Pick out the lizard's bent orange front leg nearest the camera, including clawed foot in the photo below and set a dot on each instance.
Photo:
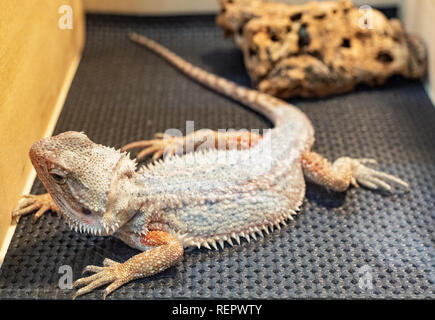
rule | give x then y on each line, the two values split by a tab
166	252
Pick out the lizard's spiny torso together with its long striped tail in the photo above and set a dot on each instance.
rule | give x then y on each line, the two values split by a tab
208	197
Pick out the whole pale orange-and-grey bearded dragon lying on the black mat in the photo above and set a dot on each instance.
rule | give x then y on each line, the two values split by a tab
189	198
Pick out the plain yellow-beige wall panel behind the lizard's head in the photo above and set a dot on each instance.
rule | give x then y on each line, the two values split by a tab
37	61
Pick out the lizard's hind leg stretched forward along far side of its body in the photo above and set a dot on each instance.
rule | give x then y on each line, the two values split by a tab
198	140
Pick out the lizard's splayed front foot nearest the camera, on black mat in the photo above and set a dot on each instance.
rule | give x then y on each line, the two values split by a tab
112	272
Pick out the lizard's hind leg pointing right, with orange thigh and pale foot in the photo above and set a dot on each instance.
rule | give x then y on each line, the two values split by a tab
345	172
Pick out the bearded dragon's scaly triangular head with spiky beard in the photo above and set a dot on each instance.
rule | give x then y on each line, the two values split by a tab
86	180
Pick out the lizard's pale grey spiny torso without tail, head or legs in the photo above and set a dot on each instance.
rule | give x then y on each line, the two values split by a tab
249	191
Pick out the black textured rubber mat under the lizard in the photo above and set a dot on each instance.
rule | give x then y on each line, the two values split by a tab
360	244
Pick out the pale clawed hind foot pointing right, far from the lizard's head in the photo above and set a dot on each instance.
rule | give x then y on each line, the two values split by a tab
374	179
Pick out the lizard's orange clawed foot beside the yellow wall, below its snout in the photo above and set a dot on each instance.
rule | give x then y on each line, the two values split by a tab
28	203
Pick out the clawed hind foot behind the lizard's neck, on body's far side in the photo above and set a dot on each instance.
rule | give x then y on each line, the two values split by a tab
162	145
